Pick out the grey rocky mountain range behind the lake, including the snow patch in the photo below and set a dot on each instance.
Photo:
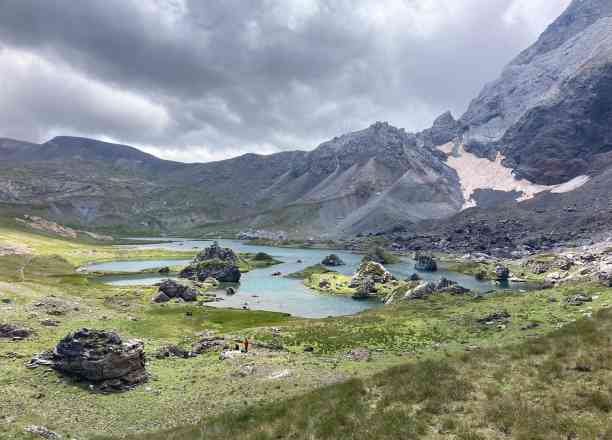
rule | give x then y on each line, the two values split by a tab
540	132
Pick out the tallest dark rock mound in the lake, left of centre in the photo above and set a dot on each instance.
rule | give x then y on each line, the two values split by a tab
214	262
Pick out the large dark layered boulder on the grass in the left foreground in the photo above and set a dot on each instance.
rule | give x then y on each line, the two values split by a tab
99	357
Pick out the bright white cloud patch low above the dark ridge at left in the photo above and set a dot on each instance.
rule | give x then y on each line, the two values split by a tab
72	104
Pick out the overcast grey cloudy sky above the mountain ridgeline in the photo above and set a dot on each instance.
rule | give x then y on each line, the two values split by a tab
195	81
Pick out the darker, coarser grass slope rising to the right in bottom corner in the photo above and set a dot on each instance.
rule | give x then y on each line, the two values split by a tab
550	387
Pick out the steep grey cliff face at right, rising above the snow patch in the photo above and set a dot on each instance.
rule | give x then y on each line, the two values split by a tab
549	111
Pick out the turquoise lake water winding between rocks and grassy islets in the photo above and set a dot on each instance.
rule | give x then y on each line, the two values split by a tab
259	290
